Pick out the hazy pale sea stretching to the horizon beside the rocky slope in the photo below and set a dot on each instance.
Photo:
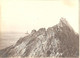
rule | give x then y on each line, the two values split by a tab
9	38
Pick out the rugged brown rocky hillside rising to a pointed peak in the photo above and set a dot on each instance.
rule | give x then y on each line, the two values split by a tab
59	41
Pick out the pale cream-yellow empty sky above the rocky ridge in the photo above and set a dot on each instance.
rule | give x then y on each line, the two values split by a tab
26	15
